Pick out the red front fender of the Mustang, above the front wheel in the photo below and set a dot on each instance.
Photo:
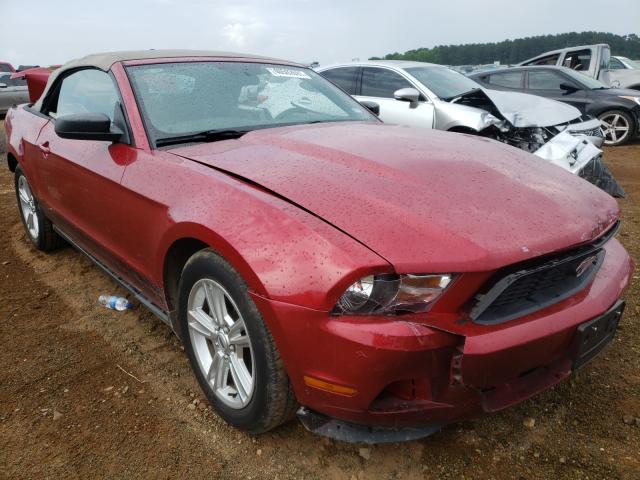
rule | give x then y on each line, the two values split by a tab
283	252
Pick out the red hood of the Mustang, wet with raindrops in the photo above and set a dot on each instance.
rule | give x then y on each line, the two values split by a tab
425	200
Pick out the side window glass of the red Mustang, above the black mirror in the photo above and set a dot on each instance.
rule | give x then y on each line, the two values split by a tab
86	91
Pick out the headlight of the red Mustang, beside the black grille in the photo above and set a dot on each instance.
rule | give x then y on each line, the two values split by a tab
389	294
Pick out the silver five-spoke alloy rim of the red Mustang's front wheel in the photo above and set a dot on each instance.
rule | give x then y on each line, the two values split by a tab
221	343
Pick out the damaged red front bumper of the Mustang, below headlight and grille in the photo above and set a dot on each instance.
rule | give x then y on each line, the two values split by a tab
408	377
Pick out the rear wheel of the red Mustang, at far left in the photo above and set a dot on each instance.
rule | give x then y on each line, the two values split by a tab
38	227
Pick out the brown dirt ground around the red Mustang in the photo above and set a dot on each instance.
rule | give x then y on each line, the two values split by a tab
89	393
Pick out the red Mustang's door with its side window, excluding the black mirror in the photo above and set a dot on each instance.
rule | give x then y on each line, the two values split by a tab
79	180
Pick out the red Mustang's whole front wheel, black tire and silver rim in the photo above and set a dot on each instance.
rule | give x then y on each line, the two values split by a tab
230	348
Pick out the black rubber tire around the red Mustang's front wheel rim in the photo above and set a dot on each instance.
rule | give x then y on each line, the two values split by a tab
273	401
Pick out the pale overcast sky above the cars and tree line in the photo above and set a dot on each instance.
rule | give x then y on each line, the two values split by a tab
53	31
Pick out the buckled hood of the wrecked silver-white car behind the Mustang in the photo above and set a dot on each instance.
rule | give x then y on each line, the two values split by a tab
524	110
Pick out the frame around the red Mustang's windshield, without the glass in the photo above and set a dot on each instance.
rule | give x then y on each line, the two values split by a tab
151	130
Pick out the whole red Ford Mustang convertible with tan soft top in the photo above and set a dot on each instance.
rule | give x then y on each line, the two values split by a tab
379	280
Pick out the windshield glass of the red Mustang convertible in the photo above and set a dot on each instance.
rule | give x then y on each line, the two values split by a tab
179	99
